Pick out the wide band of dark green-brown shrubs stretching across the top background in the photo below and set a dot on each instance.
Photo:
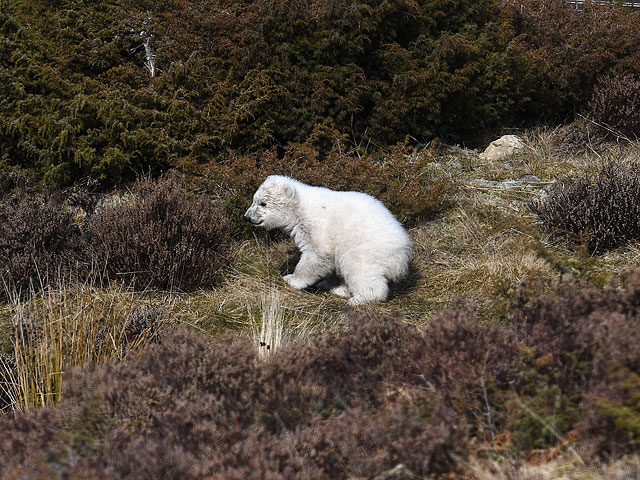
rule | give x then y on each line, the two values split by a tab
78	100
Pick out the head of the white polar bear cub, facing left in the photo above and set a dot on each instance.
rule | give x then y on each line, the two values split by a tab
273	204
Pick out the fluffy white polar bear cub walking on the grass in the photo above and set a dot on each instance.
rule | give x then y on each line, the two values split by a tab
350	235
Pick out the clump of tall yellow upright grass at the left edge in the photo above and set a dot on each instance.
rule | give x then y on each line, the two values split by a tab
67	326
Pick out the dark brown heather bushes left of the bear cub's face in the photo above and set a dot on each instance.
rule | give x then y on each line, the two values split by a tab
161	237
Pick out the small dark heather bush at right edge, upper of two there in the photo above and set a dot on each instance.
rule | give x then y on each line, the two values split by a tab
615	105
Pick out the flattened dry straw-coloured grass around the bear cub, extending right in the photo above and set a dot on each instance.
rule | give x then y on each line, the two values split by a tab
478	250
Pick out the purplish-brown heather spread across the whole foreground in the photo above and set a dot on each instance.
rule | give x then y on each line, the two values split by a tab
380	396
